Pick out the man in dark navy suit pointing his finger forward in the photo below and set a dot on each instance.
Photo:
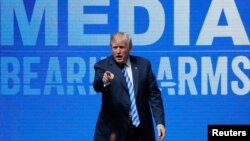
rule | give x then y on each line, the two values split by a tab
129	94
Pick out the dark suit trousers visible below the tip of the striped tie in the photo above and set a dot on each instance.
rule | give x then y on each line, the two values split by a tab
133	133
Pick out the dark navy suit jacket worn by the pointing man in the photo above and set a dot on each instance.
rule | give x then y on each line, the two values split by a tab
114	113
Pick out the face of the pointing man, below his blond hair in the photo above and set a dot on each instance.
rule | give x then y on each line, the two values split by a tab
120	51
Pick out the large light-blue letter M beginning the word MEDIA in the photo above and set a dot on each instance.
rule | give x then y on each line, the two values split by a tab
29	29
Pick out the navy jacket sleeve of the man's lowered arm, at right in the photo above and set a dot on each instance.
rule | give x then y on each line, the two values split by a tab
155	98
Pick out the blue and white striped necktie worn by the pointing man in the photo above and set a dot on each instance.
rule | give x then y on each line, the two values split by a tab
133	109
